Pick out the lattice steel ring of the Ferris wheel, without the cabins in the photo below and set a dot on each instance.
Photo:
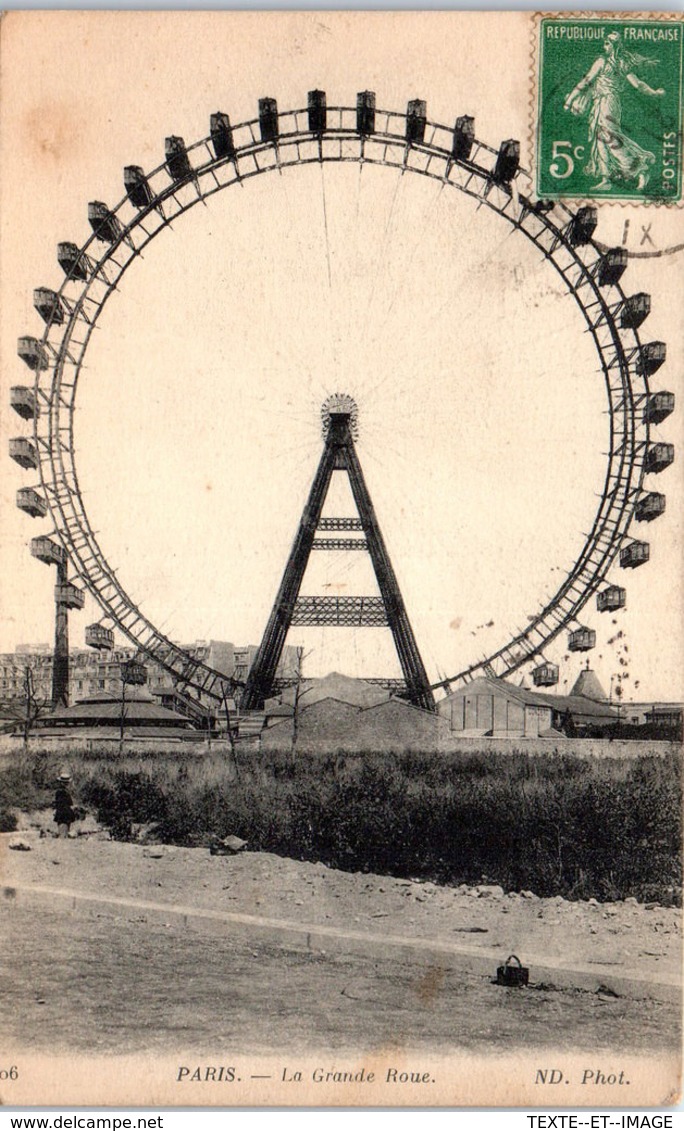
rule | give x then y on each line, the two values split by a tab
62	487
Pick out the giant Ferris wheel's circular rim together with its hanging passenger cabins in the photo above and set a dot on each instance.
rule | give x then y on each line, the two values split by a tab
406	143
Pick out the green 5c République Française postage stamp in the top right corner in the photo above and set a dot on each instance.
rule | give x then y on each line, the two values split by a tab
610	109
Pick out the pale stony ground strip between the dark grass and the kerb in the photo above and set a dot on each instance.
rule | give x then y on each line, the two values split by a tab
620	937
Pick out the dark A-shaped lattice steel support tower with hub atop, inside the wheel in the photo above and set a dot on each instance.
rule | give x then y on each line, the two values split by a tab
340	419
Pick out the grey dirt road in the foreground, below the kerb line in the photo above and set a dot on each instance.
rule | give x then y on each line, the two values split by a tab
110	983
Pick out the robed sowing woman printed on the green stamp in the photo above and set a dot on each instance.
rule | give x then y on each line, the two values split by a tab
612	154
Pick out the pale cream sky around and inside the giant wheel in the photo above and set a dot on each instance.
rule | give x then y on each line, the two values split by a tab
483	424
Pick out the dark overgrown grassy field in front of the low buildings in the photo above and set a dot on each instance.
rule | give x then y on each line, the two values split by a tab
608	828
